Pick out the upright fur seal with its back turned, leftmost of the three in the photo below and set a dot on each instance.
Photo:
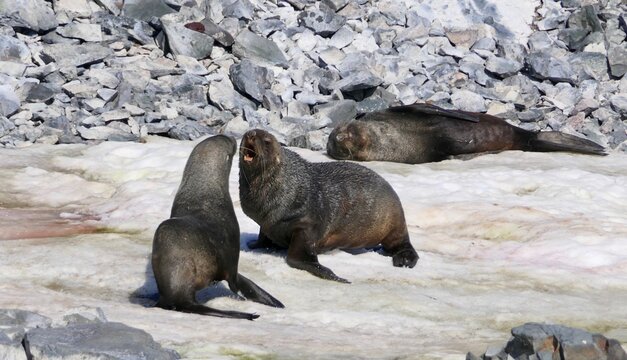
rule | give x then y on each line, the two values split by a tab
199	244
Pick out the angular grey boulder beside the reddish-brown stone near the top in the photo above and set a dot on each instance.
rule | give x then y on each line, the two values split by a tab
185	41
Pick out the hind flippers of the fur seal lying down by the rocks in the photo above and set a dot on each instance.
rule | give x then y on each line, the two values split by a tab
545	141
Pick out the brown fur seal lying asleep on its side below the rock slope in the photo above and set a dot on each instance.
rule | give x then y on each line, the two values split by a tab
422	133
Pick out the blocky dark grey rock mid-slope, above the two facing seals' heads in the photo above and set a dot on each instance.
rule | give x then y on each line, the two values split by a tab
251	79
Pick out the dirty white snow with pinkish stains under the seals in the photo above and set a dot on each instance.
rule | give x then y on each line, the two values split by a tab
503	239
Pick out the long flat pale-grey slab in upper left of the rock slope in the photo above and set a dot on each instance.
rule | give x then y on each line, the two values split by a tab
75	55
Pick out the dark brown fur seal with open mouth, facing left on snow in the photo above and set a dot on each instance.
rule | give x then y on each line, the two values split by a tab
310	208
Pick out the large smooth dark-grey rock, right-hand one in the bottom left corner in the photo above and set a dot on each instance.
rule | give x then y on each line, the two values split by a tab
94	341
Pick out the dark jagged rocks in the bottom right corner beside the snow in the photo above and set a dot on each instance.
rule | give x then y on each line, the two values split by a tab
541	341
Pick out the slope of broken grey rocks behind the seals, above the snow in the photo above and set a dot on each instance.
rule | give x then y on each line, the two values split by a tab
92	70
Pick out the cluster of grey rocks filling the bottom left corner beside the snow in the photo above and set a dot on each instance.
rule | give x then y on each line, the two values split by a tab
85	334
